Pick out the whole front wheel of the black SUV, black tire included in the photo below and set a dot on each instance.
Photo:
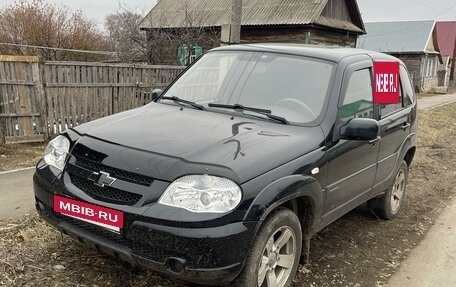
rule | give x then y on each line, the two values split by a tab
280	225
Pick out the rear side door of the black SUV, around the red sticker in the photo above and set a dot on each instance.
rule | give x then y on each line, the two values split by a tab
395	124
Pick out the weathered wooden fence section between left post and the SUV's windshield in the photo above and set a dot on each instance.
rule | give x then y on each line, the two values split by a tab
81	92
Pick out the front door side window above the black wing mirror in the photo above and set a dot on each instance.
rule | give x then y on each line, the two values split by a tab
358	102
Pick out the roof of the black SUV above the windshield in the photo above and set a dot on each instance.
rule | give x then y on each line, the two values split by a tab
333	54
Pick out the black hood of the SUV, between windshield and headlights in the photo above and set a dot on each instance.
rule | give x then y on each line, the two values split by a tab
166	142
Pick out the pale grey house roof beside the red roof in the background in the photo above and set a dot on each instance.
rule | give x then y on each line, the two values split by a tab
401	37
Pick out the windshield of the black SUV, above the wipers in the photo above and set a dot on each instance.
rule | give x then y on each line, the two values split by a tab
291	87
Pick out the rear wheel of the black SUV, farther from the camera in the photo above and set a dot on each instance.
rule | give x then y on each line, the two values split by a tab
388	205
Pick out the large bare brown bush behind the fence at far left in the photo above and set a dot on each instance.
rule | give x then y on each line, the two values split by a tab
37	23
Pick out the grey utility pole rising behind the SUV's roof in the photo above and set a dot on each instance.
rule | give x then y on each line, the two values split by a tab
231	33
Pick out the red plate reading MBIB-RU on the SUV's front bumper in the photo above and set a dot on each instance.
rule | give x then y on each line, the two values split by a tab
105	217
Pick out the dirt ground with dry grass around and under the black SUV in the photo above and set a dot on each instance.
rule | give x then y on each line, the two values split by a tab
357	250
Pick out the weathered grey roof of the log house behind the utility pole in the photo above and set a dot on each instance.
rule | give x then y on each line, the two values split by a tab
215	13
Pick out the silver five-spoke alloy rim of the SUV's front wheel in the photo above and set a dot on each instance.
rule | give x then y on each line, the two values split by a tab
277	259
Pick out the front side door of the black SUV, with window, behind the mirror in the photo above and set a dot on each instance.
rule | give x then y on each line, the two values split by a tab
352	165
